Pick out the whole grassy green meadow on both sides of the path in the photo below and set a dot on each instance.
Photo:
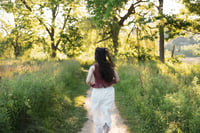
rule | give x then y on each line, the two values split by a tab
48	96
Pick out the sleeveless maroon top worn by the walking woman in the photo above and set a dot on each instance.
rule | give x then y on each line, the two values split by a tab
99	82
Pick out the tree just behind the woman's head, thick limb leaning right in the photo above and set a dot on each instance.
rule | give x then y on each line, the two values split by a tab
107	15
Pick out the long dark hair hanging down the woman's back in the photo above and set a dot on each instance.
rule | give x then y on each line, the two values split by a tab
106	66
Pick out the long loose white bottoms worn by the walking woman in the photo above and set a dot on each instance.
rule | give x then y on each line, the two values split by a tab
102	101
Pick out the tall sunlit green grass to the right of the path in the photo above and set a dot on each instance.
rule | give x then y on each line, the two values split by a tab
159	98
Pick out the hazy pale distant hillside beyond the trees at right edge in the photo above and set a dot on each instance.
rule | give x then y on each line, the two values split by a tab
188	46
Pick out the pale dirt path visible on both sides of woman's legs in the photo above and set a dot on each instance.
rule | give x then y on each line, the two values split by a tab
117	121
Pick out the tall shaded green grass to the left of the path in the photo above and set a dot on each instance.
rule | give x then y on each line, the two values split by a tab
49	100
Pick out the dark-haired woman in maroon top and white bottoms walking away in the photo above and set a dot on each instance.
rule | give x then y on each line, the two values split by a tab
100	77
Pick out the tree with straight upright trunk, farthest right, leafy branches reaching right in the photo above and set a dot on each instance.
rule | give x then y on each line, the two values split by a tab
169	26
